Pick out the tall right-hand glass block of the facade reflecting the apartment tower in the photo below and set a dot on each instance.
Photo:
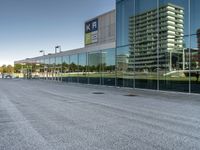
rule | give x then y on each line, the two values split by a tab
158	44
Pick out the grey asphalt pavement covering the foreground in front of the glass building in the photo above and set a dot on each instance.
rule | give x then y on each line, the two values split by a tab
42	115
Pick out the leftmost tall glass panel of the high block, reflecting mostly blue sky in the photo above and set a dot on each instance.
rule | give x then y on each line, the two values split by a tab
125	73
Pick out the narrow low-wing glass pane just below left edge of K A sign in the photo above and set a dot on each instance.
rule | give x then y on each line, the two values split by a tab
82	66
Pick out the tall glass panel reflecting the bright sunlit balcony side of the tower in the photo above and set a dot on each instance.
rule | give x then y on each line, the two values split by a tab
174	45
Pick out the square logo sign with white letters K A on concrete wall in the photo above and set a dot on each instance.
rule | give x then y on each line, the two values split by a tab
91	32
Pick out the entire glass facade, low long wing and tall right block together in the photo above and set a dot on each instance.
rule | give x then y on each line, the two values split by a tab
157	47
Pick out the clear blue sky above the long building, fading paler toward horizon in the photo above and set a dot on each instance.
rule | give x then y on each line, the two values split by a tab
27	26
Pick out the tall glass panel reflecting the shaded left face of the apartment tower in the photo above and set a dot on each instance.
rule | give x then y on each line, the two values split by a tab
143	43
